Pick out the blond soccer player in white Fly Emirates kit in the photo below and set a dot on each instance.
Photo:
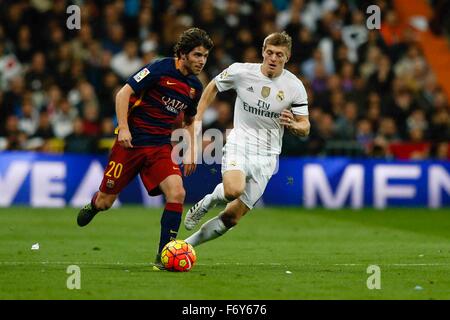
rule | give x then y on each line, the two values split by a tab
269	99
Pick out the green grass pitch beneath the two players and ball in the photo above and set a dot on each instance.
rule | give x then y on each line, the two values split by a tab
274	253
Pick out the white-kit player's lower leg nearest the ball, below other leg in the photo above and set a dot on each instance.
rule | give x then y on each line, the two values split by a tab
220	224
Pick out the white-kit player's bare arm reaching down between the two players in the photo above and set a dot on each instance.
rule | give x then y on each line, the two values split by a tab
194	128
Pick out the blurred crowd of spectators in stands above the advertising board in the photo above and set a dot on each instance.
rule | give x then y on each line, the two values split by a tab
371	92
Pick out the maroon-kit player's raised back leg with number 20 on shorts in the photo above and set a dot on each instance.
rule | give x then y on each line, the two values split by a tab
123	165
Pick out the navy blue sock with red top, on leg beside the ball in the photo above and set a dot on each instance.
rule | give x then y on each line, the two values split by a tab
170	223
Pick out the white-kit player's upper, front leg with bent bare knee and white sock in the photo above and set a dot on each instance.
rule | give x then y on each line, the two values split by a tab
231	188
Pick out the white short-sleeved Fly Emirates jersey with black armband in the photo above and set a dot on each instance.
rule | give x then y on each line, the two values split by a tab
259	103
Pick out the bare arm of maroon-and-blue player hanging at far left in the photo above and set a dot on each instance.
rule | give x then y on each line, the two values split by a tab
122	100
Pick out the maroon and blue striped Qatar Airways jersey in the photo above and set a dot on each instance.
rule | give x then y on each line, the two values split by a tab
161	93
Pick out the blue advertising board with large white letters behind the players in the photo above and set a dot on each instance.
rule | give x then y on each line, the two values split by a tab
56	180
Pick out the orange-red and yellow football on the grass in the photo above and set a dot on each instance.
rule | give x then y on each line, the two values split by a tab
178	255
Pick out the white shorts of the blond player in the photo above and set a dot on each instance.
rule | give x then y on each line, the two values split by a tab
258	170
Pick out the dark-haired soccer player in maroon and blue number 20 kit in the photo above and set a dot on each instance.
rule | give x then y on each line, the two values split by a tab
147	108
